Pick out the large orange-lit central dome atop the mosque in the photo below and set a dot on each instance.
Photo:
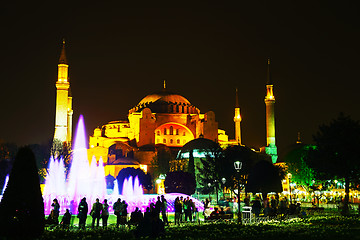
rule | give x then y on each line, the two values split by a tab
165	102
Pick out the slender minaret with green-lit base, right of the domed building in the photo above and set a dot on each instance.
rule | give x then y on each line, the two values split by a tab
270	117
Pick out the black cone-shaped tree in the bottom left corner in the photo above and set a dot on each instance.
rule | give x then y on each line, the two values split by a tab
22	206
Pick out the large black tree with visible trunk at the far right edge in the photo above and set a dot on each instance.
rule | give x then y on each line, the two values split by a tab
336	154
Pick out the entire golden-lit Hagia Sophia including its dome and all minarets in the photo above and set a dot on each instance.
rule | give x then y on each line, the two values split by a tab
160	120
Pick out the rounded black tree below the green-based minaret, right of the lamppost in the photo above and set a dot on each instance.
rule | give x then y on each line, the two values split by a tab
264	178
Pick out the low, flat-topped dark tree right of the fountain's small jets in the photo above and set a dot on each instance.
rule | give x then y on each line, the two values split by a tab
180	182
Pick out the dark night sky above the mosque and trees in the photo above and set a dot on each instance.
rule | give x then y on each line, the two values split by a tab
118	53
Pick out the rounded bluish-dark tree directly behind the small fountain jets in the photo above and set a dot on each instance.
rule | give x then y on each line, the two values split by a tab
144	179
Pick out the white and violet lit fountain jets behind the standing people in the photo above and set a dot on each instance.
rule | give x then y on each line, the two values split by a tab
88	180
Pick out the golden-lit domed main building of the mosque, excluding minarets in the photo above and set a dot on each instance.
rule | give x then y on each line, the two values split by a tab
160	119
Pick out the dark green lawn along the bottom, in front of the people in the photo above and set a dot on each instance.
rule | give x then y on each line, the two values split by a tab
309	228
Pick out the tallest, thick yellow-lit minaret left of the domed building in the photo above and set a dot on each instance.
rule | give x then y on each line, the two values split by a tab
63	118
